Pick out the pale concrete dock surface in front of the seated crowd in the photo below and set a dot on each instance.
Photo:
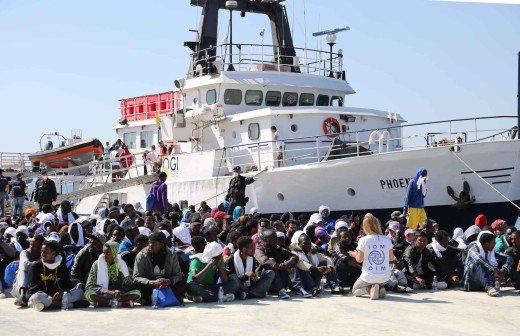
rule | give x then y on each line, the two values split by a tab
448	312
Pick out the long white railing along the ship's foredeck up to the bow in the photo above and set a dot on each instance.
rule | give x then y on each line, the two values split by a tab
293	151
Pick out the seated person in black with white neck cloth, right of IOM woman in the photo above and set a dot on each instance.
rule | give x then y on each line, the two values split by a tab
448	266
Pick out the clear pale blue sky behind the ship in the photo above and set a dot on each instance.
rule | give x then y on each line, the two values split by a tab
65	64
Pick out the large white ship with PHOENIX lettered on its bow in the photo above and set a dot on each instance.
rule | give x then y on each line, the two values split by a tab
350	159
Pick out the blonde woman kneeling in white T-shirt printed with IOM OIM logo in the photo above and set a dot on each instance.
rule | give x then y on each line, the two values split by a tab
376	253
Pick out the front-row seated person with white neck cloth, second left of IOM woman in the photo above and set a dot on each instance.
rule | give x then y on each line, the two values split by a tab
312	266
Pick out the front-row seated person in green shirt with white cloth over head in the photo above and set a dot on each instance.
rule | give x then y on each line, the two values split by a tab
206	267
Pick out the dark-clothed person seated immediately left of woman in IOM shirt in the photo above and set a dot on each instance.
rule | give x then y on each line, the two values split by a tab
347	268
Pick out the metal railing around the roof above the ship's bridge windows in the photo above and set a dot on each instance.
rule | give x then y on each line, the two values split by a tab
259	57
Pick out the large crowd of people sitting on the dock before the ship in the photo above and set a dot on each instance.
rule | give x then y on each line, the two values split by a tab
53	258
